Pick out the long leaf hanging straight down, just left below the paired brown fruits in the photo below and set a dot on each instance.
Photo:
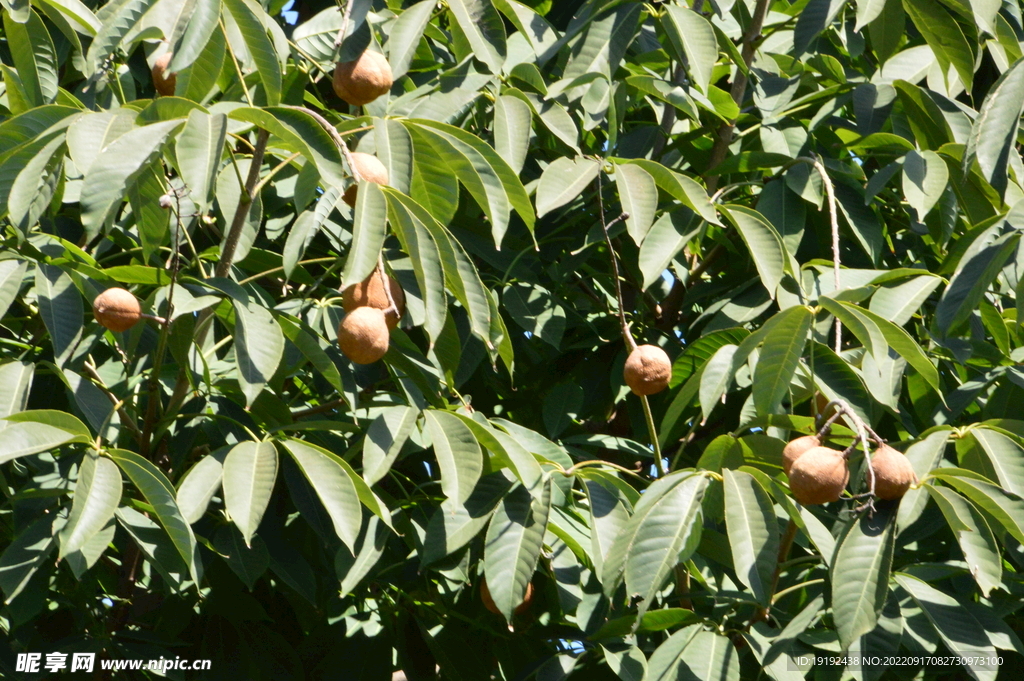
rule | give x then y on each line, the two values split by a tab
750	519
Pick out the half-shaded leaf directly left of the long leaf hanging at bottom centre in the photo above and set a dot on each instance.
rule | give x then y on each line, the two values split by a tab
454	525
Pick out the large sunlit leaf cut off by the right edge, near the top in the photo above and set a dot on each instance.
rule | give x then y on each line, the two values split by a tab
995	133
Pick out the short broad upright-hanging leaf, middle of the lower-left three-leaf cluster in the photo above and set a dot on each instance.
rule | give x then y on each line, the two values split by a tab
250	472
